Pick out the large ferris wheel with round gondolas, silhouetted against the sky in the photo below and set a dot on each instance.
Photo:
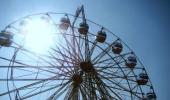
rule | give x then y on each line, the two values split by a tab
61	56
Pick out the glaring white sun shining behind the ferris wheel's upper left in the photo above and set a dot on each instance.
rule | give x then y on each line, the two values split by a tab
39	35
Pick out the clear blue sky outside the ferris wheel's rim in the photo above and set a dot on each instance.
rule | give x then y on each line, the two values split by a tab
143	24
